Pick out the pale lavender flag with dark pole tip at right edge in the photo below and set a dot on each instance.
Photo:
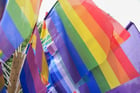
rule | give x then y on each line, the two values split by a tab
132	46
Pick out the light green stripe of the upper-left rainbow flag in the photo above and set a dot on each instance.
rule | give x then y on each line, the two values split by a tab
19	19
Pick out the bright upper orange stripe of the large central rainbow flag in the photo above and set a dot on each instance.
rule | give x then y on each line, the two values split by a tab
93	27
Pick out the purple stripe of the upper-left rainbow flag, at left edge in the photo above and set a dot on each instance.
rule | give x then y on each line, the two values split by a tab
6	46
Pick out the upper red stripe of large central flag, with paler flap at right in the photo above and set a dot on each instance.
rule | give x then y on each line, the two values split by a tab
107	23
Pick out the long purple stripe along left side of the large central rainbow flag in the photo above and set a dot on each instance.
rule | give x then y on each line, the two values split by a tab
63	51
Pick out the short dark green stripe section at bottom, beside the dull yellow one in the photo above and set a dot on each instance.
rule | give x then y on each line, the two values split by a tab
100	79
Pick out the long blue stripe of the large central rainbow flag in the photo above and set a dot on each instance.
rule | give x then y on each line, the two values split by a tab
70	47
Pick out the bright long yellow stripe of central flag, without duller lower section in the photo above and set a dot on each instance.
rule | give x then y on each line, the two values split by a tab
83	31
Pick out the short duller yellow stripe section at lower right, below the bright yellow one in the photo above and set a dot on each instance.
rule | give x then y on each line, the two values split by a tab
109	74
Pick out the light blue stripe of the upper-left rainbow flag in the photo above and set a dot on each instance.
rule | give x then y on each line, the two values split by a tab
11	31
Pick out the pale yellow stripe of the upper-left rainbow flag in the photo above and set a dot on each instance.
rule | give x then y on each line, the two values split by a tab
27	9
